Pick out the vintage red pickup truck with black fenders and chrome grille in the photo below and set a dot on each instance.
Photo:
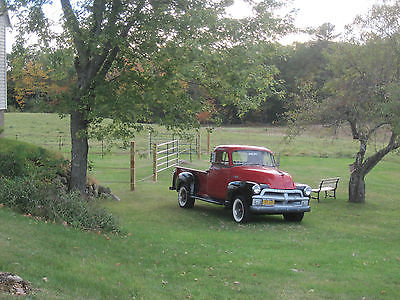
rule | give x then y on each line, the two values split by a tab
245	179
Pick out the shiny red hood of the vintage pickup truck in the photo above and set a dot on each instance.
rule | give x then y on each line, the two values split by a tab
275	178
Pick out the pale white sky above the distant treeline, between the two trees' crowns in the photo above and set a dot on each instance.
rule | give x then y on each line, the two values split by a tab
313	13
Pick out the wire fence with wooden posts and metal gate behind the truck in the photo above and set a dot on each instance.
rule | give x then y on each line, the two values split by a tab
120	168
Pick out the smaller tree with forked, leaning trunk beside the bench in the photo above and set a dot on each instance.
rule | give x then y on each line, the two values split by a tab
364	91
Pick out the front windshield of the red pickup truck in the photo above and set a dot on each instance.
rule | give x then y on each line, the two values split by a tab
253	157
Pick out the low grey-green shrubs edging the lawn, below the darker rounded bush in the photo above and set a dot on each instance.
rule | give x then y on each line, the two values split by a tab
30	196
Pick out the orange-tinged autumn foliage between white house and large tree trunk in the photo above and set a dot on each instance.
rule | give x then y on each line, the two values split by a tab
37	80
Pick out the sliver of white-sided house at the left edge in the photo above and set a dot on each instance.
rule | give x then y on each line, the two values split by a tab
4	23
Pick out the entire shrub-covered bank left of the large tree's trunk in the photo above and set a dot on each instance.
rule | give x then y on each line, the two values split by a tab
27	185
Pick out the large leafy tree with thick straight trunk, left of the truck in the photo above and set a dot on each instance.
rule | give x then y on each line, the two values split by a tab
134	60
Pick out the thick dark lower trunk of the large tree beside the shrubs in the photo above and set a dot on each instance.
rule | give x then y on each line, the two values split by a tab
79	152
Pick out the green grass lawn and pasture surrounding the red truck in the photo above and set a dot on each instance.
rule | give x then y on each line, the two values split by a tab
339	250
